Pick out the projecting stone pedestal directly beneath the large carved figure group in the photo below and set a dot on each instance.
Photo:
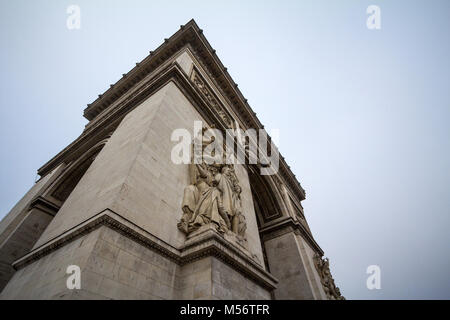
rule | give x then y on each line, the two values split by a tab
219	266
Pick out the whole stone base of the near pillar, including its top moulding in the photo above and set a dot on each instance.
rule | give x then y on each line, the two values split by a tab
120	261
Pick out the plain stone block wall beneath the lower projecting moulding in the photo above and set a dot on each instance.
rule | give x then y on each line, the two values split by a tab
115	267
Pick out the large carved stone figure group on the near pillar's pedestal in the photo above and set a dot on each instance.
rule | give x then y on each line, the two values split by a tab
214	195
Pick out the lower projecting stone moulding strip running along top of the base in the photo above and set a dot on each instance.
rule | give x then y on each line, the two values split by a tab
211	245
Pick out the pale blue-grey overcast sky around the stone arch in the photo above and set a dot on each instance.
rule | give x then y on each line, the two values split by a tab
363	114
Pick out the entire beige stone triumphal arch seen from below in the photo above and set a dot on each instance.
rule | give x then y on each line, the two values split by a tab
140	226
